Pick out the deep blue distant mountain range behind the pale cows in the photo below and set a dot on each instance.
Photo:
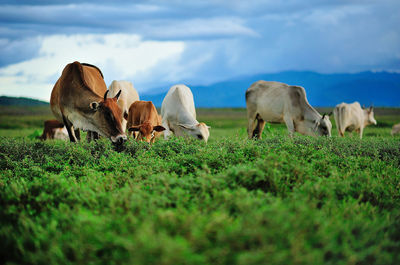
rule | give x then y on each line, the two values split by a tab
378	88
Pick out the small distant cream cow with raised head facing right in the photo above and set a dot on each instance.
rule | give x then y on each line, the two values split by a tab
351	117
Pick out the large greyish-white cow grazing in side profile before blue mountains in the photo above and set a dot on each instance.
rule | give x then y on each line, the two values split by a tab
276	102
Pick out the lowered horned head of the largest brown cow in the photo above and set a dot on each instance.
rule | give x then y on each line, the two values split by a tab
107	118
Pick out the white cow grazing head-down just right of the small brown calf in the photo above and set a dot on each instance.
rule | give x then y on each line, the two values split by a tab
179	114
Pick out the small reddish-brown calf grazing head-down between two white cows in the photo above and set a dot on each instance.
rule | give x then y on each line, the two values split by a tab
144	119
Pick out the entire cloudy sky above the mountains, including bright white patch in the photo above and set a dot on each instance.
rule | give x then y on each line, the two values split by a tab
155	44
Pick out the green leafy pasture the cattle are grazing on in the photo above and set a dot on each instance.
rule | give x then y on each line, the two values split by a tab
232	201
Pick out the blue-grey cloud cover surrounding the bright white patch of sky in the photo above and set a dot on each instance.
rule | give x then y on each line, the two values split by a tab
223	38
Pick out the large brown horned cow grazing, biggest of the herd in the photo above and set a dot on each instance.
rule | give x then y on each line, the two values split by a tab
79	100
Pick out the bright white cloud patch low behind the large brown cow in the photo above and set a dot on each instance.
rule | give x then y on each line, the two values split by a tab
119	56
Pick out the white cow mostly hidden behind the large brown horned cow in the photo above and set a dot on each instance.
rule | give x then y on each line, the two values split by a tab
127	97
